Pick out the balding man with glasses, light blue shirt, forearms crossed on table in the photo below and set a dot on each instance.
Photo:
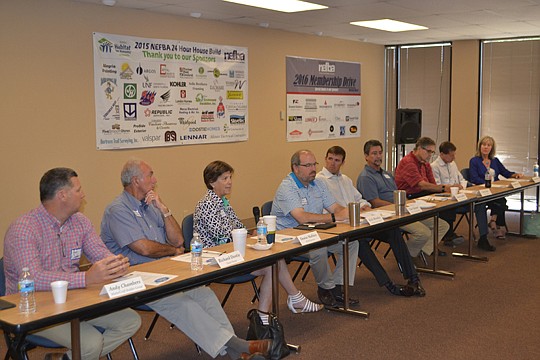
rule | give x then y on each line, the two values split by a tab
300	199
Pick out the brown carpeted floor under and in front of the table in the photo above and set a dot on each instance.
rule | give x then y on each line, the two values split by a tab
488	311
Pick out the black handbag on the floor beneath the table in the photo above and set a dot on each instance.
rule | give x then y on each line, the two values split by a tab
274	331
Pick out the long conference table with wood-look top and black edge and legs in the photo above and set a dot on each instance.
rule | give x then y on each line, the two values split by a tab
83	304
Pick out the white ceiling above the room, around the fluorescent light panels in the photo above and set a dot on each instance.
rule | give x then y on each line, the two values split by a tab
446	19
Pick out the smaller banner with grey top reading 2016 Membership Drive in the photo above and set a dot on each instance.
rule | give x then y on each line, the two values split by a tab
323	99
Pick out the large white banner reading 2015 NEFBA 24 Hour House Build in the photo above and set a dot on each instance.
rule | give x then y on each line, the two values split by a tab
152	92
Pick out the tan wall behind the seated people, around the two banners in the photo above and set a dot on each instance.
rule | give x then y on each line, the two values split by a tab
48	116
